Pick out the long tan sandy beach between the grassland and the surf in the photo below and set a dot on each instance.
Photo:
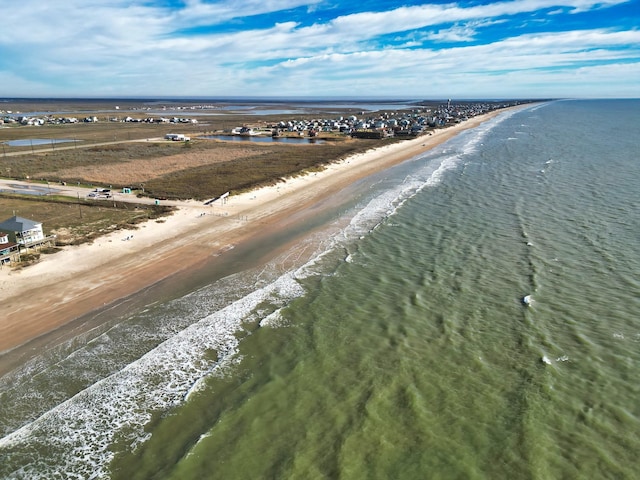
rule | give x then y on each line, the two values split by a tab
80	279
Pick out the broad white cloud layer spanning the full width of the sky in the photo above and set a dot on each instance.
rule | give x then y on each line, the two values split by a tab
123	47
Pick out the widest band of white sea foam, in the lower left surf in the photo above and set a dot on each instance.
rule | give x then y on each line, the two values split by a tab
83	428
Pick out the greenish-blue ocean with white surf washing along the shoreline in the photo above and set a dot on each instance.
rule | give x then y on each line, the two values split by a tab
472	313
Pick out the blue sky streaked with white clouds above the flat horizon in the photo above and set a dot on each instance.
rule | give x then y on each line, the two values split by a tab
327	48
